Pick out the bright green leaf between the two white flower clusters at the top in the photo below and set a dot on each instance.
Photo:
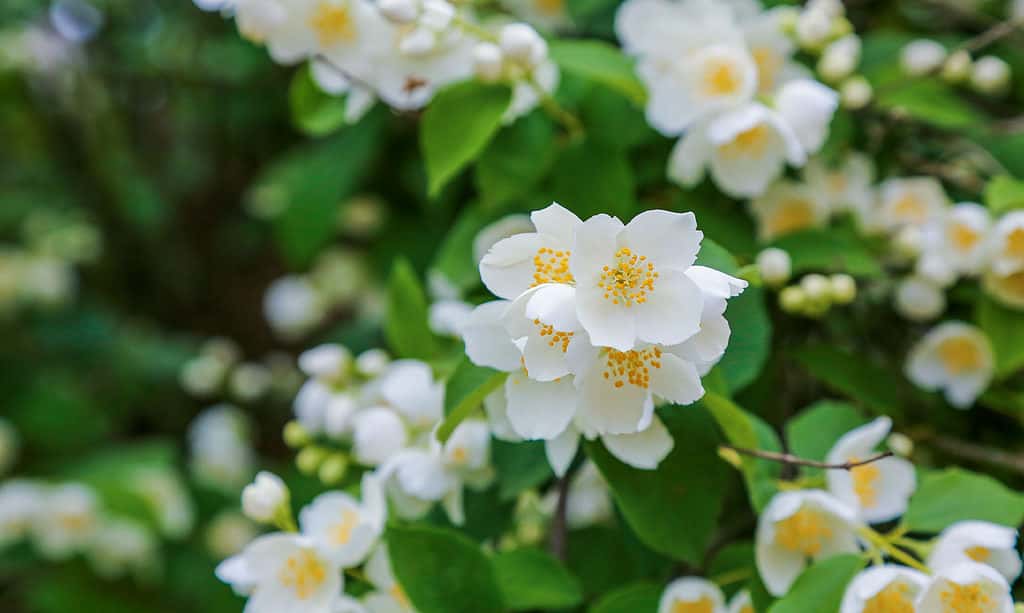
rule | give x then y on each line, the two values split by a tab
602	63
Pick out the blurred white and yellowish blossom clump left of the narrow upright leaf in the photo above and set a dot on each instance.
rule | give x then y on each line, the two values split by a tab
295	304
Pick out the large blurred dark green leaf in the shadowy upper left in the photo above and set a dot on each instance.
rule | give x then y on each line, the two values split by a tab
311	184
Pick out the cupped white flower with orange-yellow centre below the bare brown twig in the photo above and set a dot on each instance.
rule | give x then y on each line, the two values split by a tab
801	526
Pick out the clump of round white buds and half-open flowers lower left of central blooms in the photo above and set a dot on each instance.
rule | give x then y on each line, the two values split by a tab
383	415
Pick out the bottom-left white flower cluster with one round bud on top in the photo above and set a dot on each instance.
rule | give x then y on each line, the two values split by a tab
301	571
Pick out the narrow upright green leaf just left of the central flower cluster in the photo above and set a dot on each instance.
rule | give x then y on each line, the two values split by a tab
407	326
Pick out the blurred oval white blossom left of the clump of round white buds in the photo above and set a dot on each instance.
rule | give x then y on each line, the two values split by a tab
222	453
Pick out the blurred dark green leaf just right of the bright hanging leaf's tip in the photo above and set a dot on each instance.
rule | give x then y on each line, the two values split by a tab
518	158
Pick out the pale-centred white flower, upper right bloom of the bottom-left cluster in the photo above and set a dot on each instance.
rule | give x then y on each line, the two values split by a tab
346	530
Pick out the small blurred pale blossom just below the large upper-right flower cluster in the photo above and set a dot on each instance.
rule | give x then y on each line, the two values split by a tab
846	188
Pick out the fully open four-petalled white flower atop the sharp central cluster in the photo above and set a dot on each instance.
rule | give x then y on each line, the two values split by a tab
631	280
